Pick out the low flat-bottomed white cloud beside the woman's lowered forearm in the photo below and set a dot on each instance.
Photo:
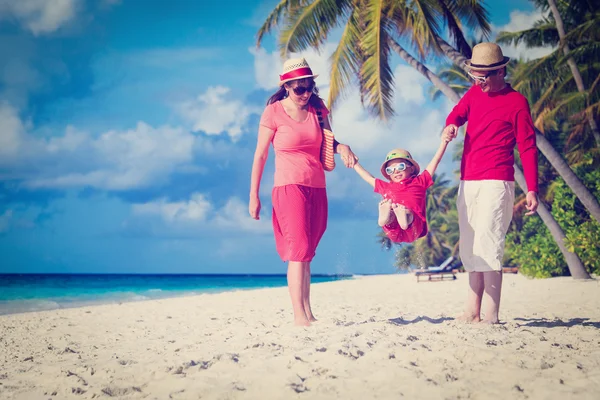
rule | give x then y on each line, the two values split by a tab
198	212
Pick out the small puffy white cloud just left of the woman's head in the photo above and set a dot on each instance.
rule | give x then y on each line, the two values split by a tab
214	114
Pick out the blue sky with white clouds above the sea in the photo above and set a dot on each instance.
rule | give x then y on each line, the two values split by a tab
127	131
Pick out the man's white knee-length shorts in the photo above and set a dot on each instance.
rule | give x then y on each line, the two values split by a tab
485	210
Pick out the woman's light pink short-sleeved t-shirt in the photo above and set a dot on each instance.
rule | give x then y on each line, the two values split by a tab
297	146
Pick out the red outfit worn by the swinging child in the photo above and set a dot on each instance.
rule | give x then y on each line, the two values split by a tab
410	192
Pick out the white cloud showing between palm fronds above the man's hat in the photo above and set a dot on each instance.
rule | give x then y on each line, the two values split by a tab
521	20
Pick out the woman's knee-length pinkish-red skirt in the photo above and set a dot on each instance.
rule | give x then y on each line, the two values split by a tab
299	221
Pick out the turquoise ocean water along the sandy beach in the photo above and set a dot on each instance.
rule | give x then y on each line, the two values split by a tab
37	292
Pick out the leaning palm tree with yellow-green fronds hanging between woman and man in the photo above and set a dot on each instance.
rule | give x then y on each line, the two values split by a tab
363	52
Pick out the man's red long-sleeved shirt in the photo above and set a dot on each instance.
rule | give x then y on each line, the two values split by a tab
497	122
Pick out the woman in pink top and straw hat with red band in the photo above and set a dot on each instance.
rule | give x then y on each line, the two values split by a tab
290	121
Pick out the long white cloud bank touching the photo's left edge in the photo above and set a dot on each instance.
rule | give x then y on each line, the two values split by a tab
114	160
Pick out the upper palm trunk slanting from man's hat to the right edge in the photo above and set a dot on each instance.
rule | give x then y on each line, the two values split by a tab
584	195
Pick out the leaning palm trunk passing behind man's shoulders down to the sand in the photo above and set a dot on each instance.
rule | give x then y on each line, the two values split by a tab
574	263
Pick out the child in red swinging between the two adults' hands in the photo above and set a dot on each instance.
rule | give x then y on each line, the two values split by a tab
402	212
